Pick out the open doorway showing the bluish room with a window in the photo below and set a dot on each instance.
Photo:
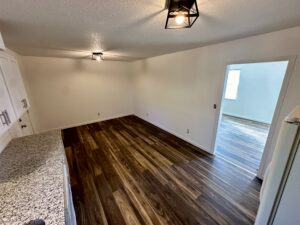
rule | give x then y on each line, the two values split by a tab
251	93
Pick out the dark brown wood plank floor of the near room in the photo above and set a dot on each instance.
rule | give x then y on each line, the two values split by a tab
126	171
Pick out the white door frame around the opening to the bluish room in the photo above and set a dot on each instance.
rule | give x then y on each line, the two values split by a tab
291	62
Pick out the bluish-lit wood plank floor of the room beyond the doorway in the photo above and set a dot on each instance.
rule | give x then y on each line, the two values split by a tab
242	142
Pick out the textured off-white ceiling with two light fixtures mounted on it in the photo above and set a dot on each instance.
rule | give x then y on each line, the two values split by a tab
133	29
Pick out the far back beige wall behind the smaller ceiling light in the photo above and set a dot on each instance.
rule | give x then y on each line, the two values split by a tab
69	92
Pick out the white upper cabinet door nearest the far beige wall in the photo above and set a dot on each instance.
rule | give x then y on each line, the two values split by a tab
16	89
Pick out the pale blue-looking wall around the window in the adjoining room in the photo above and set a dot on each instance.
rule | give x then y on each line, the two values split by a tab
258	91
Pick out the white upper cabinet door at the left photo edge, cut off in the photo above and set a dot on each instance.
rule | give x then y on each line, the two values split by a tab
7	115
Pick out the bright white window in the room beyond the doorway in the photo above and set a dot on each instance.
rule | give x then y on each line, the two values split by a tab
232	85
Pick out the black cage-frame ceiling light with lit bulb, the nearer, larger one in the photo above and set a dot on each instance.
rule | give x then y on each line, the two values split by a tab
181	13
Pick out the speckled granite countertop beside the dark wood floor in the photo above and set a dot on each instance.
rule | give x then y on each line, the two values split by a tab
31	180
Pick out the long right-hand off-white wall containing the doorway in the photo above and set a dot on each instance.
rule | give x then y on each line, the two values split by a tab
177	91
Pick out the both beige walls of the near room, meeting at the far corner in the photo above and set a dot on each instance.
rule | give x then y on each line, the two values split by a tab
175	91
